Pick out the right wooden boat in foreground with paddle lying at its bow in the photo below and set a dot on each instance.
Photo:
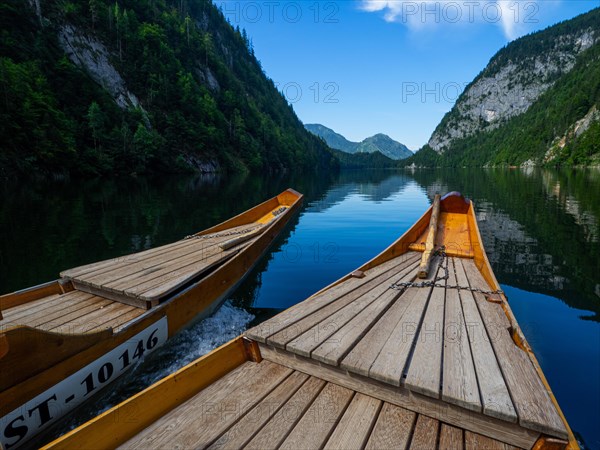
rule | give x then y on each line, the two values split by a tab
378	359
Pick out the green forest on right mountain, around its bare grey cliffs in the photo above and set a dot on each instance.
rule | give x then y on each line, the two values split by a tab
530	135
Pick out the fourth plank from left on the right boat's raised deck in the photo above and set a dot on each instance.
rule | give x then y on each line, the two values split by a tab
334	348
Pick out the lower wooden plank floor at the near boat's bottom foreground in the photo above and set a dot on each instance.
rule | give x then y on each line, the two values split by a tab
267	405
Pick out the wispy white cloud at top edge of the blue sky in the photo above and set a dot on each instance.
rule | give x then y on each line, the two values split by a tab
512	16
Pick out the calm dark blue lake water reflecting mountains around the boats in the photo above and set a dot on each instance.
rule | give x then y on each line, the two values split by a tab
541	230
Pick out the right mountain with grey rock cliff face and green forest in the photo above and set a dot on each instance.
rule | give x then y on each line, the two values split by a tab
536	103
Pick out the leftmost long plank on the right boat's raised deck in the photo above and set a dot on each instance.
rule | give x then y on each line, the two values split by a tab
301	310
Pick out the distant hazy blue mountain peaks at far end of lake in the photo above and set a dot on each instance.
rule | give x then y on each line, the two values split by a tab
378	143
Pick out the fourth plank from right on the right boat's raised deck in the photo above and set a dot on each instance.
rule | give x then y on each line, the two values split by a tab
424	370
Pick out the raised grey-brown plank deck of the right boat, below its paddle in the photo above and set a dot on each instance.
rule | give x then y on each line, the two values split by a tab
443	342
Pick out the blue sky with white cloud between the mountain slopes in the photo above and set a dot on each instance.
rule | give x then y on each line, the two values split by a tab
364	67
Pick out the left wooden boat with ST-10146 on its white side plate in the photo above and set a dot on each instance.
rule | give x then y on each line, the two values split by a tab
61	342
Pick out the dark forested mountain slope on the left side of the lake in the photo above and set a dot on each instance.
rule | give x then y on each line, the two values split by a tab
105	87
